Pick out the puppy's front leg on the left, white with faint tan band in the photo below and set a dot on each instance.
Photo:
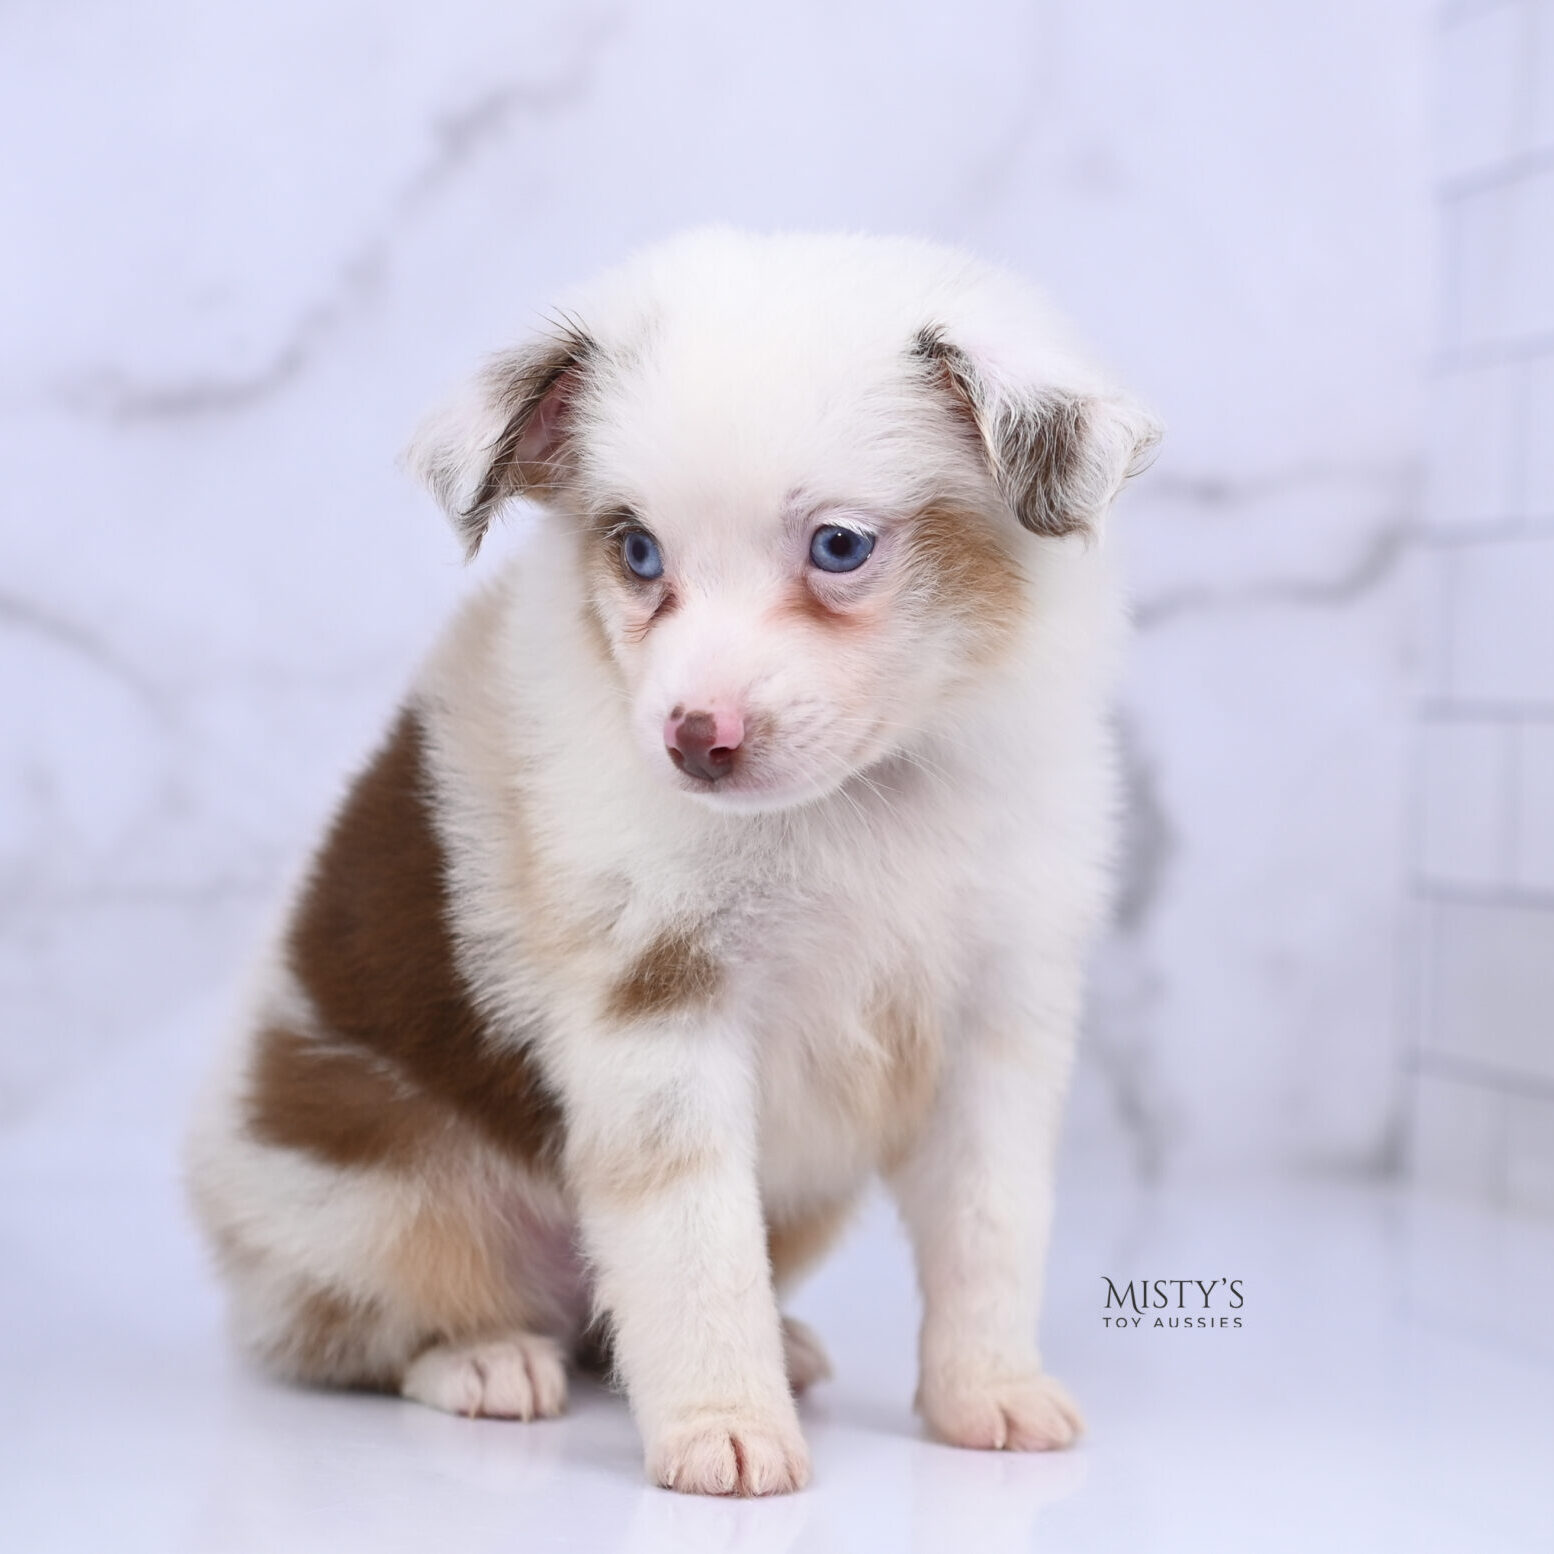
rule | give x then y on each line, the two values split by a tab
663	1157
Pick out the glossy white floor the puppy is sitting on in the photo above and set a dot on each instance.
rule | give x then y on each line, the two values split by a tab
1392	1388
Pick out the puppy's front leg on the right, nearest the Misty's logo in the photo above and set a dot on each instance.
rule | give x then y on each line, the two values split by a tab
977	1196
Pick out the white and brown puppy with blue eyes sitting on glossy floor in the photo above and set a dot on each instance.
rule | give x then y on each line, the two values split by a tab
739	843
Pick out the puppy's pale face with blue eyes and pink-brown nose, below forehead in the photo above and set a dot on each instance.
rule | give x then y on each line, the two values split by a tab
778	647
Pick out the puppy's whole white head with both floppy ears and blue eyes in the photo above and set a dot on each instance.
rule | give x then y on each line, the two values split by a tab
809	484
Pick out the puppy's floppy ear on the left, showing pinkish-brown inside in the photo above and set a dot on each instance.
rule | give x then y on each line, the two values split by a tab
507	434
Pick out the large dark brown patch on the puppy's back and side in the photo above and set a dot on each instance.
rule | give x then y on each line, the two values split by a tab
406	1047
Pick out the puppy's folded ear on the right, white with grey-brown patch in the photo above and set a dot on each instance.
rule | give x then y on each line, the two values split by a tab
1059	456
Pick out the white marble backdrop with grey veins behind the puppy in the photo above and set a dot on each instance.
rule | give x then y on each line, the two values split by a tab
245	246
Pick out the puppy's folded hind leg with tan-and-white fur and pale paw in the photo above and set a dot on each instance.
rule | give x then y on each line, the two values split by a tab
456	1284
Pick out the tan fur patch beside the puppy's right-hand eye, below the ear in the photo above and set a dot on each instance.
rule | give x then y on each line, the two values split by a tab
961	565
